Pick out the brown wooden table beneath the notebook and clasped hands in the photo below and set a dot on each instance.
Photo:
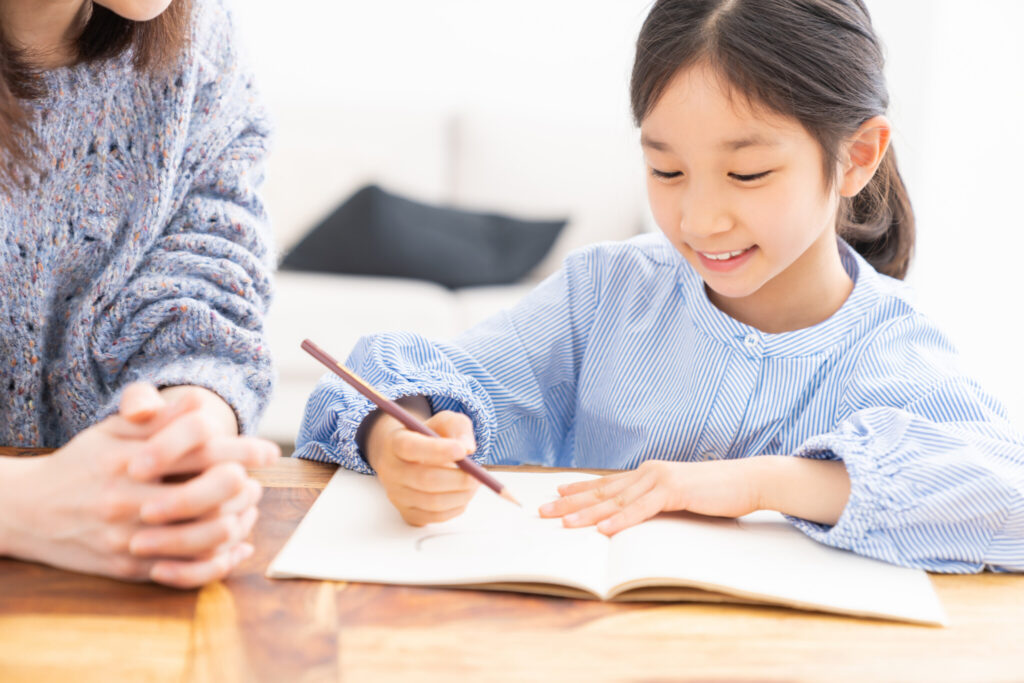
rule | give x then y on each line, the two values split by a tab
66	627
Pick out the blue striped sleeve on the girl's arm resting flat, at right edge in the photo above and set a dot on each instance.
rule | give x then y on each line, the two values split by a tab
936	471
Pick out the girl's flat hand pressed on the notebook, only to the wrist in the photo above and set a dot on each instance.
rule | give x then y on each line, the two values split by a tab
722	489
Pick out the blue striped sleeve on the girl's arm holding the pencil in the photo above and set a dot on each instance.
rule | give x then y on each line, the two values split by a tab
515	375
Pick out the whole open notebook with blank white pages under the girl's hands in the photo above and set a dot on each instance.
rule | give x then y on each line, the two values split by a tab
353	533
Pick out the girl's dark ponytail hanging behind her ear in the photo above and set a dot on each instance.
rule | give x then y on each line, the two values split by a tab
879	223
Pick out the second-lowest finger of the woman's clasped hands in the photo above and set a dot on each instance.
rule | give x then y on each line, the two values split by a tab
195	539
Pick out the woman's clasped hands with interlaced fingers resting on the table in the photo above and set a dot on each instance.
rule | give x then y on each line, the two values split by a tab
78	509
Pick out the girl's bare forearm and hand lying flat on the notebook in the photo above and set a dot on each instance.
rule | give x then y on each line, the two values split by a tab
815	490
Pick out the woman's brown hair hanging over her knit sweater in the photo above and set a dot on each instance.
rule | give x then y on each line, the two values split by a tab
155	46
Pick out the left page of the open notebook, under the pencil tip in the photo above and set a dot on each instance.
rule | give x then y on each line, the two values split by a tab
353	533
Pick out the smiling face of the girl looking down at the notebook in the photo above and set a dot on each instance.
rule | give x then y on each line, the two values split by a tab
741	193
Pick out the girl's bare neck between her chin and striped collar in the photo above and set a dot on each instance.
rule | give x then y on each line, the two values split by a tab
810	291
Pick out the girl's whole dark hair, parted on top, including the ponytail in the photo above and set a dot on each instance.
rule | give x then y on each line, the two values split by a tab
817	61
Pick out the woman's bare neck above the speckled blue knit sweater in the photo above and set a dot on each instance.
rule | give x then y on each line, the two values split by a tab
45	30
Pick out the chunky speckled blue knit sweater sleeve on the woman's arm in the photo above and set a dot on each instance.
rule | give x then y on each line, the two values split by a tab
192	311
